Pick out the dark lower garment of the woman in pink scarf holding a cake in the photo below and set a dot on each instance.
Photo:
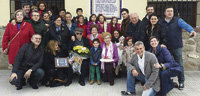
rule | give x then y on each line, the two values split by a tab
109	72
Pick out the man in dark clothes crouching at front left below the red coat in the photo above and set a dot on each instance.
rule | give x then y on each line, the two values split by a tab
27	64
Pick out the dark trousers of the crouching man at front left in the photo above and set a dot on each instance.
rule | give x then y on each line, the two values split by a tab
35	77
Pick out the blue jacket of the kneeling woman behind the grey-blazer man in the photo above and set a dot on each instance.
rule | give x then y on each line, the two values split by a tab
163	55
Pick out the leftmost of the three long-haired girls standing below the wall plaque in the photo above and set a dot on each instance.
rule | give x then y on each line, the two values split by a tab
93	20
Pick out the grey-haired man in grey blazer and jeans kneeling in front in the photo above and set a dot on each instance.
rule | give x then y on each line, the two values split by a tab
141	67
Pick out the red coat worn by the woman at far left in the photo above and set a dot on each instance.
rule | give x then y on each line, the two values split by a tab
23	37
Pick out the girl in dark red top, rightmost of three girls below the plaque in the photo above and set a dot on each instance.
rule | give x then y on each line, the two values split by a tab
113	25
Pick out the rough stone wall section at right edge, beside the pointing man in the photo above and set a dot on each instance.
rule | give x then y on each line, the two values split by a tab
191	51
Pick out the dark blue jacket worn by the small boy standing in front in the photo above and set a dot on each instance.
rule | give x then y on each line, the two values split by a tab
95	56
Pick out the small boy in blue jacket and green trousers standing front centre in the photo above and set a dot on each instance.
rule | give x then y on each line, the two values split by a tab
95	56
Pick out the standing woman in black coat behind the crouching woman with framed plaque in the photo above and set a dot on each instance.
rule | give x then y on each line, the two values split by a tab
61	34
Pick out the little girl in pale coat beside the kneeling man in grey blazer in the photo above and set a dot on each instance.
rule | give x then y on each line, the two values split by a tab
128	50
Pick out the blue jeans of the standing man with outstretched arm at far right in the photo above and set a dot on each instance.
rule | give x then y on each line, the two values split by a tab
177	54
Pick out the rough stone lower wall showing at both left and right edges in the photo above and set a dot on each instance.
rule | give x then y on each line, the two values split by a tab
191	51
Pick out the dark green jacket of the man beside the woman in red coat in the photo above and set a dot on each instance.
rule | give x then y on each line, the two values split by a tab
39	28
